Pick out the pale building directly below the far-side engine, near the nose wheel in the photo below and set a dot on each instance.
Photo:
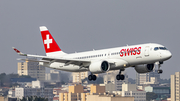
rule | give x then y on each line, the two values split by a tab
147	78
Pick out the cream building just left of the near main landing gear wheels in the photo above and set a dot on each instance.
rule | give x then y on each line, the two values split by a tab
79	76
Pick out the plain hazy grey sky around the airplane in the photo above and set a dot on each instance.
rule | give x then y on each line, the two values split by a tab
75	24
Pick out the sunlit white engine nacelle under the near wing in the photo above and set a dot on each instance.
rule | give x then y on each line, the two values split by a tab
99	67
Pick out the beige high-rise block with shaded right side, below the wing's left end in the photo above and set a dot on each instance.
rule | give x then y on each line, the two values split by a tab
32	69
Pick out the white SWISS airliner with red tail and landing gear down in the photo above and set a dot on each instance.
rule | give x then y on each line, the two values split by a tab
142	57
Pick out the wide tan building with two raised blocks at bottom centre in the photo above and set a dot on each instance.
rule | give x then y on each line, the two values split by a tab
97	94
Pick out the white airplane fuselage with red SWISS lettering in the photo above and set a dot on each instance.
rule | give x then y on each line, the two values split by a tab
122	57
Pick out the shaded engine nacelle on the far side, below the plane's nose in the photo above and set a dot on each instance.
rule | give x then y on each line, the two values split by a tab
144	68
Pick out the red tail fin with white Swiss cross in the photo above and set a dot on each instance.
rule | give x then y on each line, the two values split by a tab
50	45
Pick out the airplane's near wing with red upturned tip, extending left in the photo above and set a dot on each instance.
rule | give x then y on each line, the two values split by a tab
49	59
